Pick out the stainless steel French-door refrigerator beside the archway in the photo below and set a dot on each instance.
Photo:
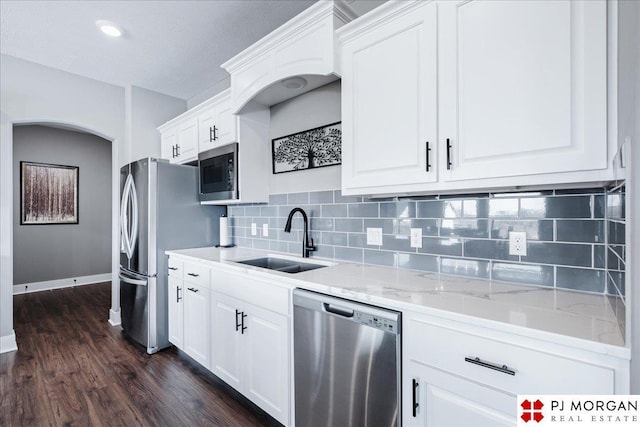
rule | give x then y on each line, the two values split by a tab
159	210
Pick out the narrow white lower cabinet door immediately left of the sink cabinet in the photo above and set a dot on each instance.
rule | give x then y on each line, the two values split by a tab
196	323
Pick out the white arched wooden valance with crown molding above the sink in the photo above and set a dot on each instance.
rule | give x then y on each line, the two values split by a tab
302	46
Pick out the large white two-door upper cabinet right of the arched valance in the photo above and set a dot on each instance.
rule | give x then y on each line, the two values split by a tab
461	95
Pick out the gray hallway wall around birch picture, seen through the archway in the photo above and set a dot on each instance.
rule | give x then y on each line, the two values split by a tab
50	252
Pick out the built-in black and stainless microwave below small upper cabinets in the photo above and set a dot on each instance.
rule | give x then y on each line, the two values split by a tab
219	173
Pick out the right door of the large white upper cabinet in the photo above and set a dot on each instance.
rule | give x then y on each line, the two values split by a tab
522	87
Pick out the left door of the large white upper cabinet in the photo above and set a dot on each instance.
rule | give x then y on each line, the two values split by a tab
389	103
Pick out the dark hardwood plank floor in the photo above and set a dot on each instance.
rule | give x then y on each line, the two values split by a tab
74	369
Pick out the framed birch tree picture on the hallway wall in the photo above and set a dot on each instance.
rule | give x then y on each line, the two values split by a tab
48	194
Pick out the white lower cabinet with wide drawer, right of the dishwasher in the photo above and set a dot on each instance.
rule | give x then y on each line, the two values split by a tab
458	374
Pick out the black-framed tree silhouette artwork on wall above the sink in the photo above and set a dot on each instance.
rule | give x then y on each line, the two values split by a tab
310	149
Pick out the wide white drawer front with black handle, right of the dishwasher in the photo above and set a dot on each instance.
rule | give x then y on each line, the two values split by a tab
535	371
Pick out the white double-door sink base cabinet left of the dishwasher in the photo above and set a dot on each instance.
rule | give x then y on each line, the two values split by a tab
250	344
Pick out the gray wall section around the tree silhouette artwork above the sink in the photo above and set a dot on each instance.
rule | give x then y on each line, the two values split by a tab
307	111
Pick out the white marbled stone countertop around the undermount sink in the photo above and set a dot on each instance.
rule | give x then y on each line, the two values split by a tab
564	317
